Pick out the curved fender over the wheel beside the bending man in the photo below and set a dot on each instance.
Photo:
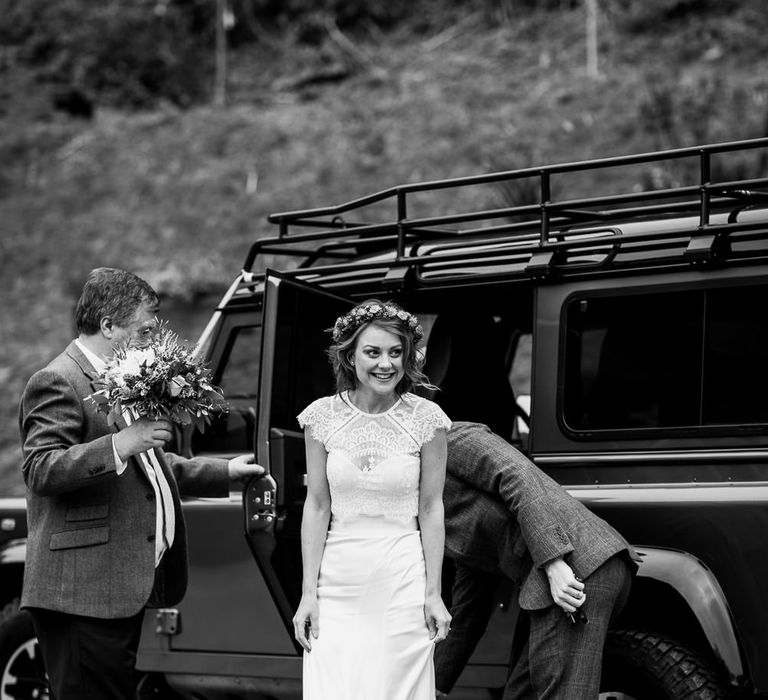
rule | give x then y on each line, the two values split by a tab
698	586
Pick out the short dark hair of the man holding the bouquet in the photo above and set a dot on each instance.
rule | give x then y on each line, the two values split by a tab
114	293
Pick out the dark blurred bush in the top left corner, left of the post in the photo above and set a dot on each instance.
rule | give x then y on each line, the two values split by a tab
127	54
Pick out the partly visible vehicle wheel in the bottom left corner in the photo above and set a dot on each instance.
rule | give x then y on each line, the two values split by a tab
22	674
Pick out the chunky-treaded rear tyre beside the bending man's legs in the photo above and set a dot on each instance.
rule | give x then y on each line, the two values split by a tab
643	666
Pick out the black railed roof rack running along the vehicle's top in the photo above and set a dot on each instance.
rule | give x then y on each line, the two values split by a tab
538	227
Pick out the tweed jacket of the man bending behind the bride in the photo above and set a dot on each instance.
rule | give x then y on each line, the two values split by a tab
504	514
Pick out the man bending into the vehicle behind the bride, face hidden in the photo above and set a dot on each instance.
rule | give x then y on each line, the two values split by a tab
506	517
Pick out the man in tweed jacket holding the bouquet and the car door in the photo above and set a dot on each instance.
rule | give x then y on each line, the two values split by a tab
106	530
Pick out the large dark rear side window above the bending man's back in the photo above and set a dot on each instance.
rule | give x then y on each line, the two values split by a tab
677	360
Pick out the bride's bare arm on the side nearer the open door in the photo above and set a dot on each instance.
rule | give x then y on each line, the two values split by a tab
314	529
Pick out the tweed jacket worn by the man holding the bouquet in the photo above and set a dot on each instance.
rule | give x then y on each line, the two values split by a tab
90	547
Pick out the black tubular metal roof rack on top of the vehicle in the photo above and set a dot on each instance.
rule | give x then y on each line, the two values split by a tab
545	235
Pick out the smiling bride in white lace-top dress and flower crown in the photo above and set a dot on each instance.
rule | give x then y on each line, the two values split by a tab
372	530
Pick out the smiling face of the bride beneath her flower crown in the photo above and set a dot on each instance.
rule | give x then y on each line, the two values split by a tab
378	360
